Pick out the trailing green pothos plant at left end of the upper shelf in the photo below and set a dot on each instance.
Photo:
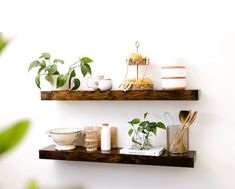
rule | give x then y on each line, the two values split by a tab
48	68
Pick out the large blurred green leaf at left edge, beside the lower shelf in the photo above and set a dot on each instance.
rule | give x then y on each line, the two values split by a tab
12	135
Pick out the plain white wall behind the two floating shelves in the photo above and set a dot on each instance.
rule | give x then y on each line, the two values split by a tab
202	32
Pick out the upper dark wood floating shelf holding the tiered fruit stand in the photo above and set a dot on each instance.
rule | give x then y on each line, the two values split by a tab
120	95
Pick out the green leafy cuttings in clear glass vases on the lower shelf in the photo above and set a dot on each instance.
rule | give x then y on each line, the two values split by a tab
145	128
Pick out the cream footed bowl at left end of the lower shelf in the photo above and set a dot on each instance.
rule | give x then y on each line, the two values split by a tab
64	138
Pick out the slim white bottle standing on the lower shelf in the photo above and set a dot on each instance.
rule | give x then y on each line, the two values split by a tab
105	137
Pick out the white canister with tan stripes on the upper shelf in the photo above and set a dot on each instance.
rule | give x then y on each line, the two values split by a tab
173	77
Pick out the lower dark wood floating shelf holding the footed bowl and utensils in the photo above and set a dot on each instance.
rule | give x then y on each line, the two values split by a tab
114	156
